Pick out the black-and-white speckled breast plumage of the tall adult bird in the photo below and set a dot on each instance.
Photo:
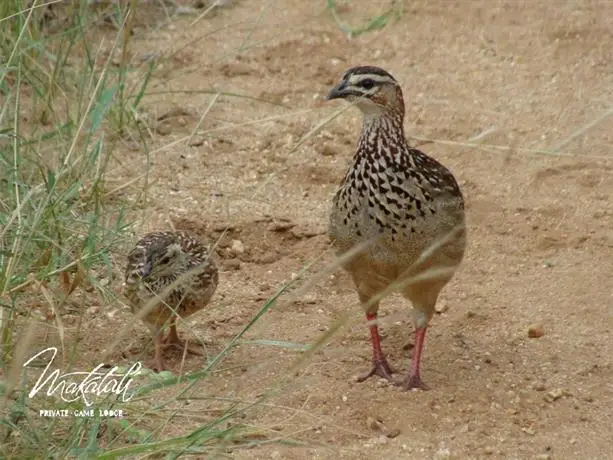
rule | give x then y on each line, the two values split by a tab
397	201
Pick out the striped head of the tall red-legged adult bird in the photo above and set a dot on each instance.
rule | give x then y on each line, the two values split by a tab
373	90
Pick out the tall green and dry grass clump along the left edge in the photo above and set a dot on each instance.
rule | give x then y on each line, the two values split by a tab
64	107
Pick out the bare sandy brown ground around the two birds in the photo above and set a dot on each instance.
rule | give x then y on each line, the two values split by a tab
513	94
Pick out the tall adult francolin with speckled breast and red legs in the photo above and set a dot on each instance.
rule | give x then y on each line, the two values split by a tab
399	210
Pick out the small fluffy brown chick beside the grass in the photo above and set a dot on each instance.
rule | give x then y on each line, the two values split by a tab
158	260
